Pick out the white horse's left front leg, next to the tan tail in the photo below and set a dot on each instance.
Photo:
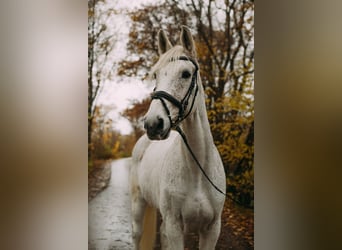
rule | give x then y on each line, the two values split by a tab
172	232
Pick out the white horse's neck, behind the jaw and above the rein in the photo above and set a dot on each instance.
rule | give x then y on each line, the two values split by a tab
197	130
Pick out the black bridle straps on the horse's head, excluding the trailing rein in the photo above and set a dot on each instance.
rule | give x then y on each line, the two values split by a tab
183	104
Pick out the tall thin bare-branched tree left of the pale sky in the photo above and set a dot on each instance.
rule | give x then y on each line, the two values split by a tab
100	43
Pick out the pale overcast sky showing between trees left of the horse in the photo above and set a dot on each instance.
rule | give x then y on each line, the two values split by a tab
118	93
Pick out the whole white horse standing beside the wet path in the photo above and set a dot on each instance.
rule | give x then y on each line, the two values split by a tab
164	175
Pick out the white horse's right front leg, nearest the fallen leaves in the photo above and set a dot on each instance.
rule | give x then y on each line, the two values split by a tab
210	235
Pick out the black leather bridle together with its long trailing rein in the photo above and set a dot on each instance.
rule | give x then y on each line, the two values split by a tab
182	106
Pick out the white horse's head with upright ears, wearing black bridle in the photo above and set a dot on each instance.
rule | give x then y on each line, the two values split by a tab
175	79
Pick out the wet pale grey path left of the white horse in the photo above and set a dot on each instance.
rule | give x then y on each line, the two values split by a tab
109	216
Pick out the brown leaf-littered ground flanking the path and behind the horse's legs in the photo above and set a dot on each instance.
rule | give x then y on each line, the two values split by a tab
237	230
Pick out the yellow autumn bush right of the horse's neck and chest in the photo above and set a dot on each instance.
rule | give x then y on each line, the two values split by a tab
235	142
